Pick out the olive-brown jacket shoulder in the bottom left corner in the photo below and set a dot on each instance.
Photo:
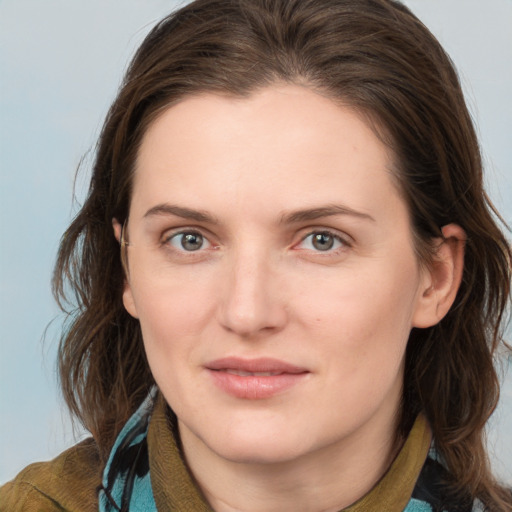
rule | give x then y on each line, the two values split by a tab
68	482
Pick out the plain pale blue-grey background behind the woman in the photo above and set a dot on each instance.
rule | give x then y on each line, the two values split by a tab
60	65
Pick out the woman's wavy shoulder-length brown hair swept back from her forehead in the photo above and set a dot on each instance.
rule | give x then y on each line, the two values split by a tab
376	56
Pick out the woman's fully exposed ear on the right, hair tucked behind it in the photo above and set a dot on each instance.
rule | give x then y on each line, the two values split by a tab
442	278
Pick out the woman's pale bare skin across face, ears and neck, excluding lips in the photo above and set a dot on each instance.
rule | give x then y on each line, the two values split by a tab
259	287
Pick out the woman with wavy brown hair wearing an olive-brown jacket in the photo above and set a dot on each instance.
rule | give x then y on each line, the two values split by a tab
290	283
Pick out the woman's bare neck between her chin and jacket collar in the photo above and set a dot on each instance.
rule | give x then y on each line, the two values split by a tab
328	479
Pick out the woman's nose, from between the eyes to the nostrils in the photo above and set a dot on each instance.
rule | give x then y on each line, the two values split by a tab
252	302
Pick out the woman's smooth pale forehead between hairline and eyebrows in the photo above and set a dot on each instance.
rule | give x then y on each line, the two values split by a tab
283	144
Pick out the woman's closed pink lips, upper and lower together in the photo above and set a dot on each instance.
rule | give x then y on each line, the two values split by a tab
254	379
